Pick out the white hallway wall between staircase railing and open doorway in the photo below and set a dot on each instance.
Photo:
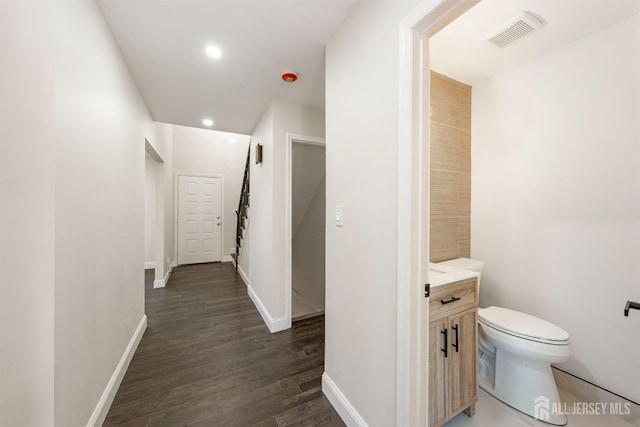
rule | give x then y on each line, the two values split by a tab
268	192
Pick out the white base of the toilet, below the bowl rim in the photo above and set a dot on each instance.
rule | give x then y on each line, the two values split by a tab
527	386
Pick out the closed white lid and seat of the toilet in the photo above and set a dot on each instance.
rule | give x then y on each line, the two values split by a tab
522	325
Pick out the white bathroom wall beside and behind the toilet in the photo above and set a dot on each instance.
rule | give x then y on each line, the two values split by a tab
555	197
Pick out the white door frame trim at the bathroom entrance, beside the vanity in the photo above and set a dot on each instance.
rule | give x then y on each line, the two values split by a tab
413	205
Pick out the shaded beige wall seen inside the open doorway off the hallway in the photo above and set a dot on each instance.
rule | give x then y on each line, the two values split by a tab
308	221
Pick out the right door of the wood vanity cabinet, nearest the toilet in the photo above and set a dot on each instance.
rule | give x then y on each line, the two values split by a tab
462	361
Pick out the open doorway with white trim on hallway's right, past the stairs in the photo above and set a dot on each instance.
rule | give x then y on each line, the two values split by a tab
306	218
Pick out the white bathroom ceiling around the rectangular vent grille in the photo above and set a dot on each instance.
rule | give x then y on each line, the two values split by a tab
461	51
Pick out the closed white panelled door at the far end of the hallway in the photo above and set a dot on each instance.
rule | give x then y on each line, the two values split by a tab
199	219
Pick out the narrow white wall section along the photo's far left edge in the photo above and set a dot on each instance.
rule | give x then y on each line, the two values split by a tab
27	235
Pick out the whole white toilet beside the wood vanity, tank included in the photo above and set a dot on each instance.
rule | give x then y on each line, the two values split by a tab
515	355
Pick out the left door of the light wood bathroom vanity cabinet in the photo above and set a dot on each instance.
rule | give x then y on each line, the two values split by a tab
438	372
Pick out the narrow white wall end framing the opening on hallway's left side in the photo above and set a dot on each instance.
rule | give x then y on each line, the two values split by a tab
159	165
